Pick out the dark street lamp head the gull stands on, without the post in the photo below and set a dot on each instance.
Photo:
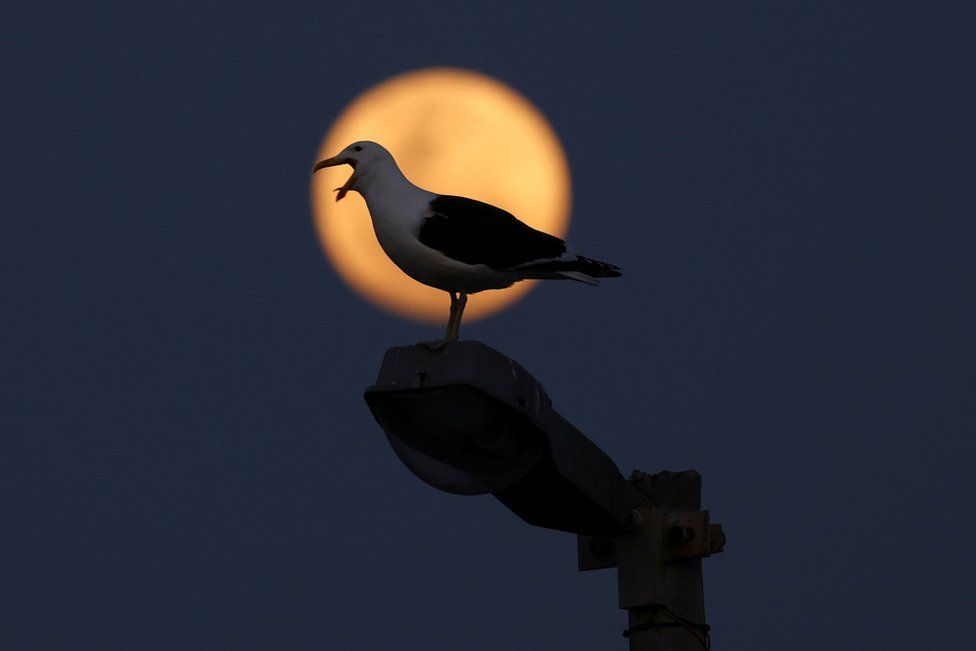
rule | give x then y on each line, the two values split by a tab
467	419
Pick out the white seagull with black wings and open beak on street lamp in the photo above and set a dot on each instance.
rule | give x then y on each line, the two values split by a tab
459	245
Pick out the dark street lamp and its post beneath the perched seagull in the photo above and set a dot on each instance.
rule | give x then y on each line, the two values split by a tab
468	420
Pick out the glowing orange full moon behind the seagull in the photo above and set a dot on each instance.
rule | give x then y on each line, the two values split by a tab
451	131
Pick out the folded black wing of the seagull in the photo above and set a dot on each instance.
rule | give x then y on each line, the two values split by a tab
479	233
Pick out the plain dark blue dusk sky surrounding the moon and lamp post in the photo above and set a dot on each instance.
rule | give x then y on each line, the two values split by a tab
187	462
